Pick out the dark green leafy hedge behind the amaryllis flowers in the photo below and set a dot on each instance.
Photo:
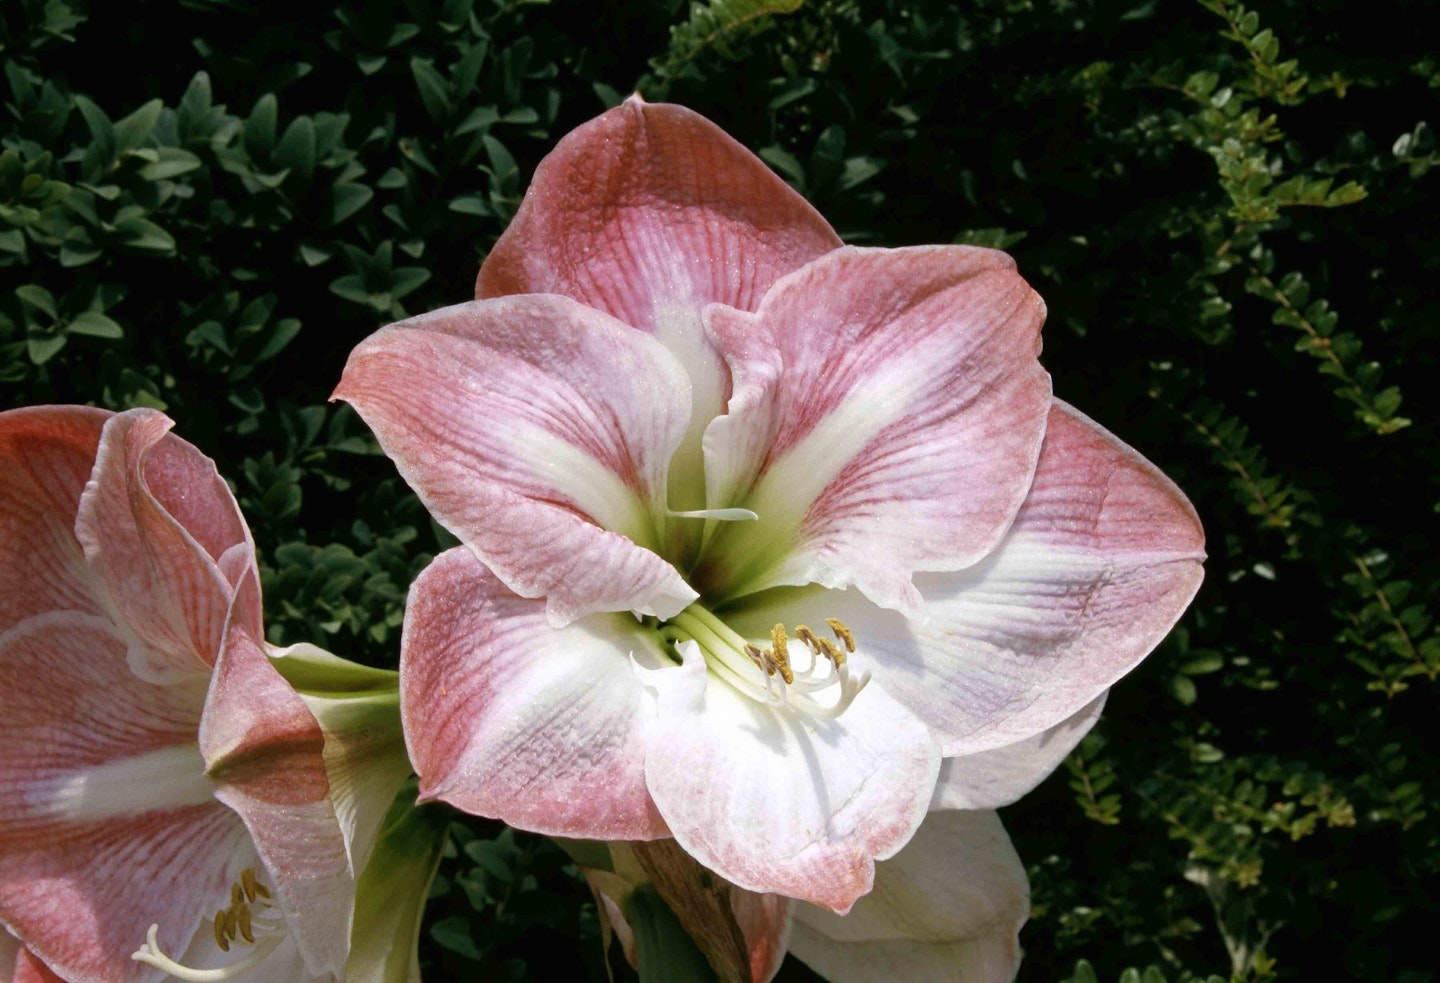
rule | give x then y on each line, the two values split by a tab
207	204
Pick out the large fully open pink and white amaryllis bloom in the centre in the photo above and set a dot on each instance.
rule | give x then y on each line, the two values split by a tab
758	529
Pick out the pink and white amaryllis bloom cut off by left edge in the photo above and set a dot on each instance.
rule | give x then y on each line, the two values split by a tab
163	791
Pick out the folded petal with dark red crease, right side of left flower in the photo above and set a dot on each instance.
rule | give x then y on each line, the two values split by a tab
266	755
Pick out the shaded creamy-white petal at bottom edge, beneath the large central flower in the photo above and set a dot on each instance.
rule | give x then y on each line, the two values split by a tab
948	907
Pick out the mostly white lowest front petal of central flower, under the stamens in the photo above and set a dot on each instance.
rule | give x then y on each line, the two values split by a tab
781	804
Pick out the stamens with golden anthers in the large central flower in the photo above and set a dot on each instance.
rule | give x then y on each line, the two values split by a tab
819	683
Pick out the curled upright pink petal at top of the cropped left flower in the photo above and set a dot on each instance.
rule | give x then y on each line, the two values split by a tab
156	520
